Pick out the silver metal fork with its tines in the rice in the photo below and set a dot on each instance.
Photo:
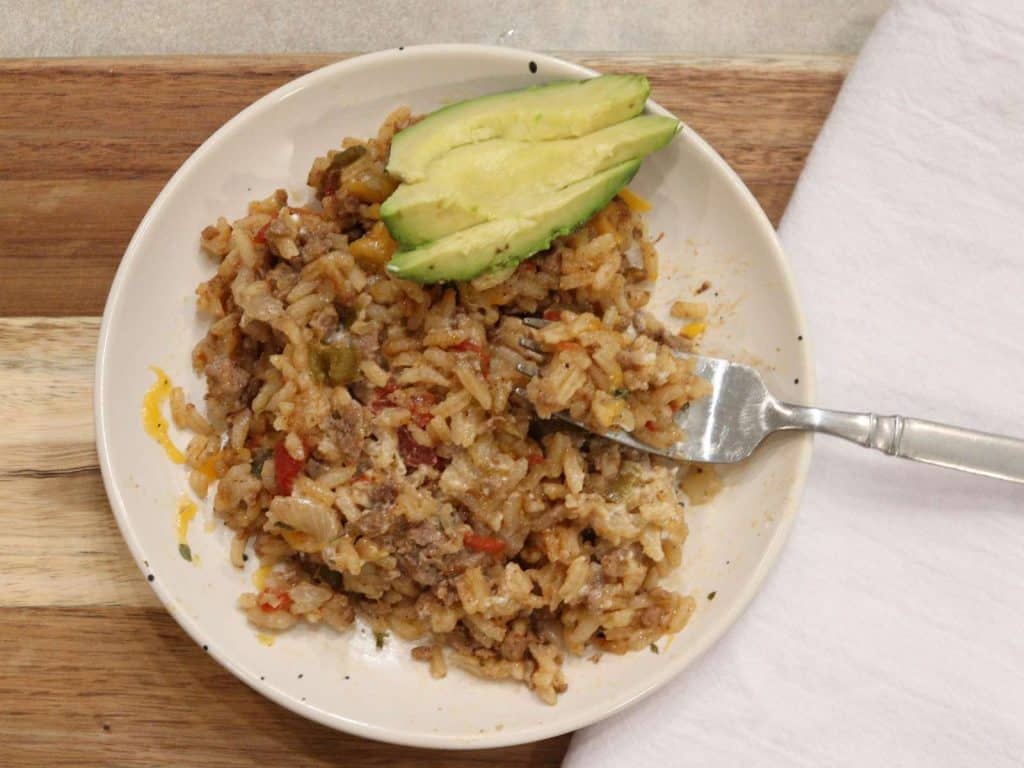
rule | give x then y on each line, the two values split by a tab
729	424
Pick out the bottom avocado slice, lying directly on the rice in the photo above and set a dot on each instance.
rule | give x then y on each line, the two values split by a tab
470	253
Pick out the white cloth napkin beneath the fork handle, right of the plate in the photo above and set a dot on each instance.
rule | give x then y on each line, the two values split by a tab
892	631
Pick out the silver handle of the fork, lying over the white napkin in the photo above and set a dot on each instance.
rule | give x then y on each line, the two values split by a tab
928	442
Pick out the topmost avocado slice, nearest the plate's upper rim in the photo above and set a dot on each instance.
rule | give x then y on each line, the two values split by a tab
560	110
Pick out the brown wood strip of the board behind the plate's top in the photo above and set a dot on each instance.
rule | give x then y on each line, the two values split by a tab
86	146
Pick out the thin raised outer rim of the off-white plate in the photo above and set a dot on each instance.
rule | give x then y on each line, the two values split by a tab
556	727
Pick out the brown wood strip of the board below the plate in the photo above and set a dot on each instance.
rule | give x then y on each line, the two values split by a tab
126	688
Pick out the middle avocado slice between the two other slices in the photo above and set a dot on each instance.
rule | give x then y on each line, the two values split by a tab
500	179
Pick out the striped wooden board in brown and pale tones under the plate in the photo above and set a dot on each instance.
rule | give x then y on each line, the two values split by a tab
93	670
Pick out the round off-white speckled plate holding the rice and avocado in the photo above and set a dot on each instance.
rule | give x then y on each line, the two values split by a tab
714	230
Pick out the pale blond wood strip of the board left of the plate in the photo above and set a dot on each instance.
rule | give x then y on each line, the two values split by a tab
58	523
